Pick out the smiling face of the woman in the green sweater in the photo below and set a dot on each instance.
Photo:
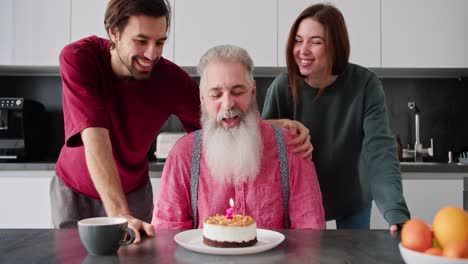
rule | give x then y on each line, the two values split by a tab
309	49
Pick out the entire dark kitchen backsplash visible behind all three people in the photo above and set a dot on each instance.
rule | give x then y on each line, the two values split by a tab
443	105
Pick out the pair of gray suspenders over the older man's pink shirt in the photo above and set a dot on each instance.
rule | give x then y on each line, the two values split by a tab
195	171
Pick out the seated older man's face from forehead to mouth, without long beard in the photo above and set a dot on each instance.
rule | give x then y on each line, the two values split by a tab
226	93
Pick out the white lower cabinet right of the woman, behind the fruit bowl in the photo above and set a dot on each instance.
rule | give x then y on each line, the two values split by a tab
424	197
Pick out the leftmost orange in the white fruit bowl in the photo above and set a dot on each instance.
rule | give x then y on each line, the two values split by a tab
416	235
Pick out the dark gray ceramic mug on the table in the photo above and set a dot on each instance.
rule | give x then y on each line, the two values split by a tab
105	235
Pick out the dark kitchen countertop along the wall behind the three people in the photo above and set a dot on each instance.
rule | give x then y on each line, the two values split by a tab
406	167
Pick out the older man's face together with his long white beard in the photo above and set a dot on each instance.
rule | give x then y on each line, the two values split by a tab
232	141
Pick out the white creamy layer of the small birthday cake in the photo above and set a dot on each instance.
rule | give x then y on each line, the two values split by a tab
224	233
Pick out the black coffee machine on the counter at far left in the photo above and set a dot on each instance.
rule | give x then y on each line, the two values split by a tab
21	128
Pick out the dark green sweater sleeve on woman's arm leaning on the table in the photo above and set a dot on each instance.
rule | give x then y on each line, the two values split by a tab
380	156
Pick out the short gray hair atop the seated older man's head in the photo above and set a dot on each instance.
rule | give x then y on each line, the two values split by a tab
225	53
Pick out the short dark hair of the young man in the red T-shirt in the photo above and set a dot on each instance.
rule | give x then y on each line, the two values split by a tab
119	11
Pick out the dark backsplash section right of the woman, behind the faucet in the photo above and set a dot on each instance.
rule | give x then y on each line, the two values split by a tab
443	105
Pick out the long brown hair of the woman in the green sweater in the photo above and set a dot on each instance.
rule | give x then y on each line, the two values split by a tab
336	41
